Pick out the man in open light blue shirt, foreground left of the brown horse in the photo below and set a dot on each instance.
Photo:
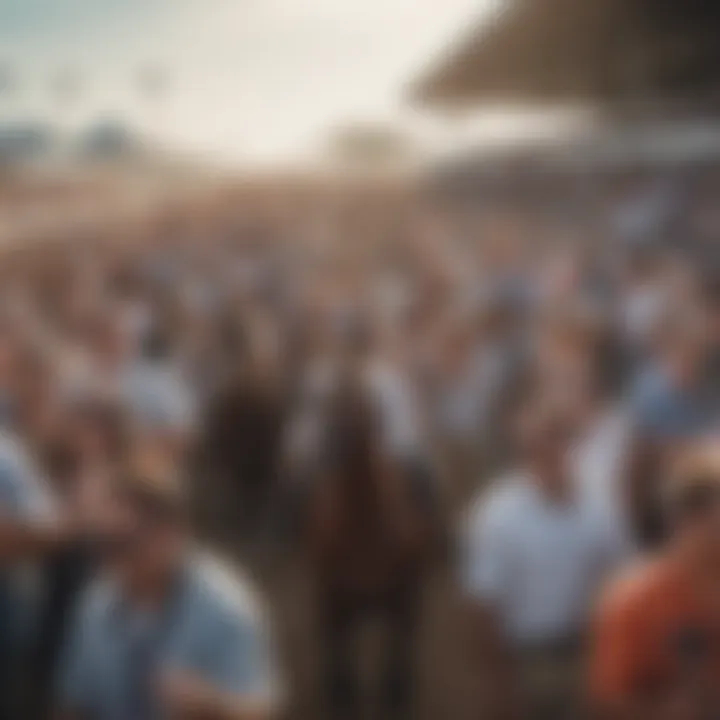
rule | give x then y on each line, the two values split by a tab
165	634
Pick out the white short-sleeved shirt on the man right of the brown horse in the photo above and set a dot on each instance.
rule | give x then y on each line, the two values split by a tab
537	563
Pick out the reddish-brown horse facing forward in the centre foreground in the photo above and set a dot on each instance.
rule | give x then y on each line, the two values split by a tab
371	522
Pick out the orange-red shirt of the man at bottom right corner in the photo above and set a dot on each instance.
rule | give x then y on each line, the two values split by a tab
654	635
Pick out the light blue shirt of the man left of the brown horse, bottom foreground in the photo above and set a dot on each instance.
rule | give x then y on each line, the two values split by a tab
213	628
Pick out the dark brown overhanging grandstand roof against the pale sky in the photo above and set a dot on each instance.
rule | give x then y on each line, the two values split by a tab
569	51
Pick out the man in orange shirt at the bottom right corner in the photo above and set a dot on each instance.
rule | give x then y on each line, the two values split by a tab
656	651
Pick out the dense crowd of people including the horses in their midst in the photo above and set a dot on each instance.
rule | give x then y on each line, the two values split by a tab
375	386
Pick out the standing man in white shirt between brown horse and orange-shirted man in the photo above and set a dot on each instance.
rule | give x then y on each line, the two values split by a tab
535	558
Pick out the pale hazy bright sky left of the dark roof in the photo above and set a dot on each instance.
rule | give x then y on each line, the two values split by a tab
246	80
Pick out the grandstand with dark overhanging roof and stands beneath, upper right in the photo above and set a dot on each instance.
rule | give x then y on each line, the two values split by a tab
645	76
